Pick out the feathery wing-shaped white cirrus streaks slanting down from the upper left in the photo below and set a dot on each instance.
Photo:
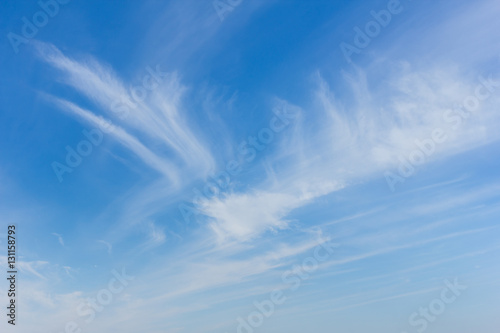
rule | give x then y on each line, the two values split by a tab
155	120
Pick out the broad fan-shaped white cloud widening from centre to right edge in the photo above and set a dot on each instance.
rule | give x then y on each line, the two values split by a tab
355	138
